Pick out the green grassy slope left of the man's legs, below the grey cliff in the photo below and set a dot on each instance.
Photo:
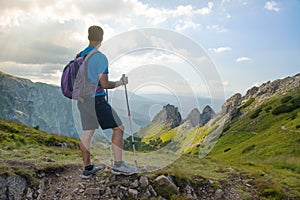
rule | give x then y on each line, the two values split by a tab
20	143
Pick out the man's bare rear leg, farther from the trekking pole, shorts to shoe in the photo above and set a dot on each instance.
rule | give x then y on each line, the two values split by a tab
85	146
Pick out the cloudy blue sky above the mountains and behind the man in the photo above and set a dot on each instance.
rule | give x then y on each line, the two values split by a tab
245	42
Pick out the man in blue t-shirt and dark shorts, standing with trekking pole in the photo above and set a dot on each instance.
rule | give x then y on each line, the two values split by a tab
95	110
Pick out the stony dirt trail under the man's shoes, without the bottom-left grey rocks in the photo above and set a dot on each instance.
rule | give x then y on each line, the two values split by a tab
68	185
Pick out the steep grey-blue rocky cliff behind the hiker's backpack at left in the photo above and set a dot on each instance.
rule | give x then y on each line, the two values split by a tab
35	104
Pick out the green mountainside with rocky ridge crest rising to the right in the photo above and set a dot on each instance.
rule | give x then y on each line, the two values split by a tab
258	134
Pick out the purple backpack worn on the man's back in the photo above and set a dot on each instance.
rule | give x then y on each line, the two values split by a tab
74	81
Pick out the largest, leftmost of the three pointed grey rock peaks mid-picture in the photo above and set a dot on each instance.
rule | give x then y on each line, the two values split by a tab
169	114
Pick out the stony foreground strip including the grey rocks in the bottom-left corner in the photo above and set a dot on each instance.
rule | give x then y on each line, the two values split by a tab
65	182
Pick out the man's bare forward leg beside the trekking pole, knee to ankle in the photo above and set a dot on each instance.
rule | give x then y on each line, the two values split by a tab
117	142
